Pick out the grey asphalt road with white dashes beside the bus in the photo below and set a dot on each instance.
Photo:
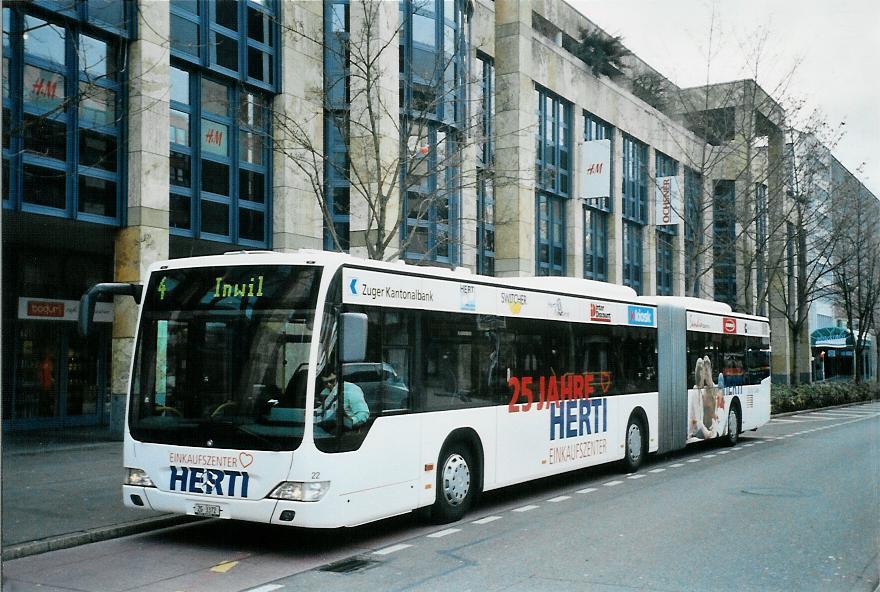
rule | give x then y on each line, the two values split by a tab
795	506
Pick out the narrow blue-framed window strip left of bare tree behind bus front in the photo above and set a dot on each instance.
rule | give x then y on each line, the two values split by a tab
337	188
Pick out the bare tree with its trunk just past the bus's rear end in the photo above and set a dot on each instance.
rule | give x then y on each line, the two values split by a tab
760	221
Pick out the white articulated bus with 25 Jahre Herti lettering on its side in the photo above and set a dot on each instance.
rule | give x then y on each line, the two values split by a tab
452	384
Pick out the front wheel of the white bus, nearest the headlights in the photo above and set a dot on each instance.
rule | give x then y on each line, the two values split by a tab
456	483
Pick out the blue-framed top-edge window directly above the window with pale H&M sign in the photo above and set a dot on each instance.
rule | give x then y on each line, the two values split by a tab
235	38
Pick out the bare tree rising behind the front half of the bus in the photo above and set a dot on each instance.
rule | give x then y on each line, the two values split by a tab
404	164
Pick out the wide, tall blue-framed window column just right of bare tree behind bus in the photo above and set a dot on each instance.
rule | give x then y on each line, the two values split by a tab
433	51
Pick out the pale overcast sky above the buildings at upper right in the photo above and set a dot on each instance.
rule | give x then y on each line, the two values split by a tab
828	50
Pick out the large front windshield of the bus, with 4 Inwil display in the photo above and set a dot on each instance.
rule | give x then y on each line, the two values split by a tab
222	356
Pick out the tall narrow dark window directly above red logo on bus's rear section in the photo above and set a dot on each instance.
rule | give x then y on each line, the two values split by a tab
724	242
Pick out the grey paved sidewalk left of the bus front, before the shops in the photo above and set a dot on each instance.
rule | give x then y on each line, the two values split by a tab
63	488
